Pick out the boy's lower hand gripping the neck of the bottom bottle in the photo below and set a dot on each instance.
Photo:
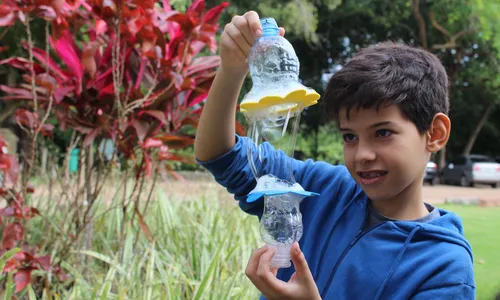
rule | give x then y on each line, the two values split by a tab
300	286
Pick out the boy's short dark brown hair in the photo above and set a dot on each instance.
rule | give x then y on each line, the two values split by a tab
391	73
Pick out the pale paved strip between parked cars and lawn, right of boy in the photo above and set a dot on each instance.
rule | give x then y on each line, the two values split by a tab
482	195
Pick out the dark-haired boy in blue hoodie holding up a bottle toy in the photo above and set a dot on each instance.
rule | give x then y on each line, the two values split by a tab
369	235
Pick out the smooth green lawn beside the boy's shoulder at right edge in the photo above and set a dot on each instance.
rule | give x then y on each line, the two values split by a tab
482	230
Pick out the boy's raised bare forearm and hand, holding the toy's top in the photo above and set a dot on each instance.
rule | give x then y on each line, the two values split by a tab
216	130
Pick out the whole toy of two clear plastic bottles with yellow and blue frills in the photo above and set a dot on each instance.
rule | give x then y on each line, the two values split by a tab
273	108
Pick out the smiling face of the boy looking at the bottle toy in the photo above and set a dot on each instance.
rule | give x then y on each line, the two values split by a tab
383	151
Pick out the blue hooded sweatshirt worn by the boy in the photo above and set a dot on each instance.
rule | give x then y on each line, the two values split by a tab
393	260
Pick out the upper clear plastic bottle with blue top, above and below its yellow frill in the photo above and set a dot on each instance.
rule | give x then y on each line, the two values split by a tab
274	68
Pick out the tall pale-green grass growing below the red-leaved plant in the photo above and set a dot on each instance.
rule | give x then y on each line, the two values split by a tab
200	251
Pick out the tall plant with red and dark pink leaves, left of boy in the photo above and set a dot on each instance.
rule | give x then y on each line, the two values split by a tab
133	72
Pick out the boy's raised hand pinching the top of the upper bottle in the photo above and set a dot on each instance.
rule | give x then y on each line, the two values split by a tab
237	39
